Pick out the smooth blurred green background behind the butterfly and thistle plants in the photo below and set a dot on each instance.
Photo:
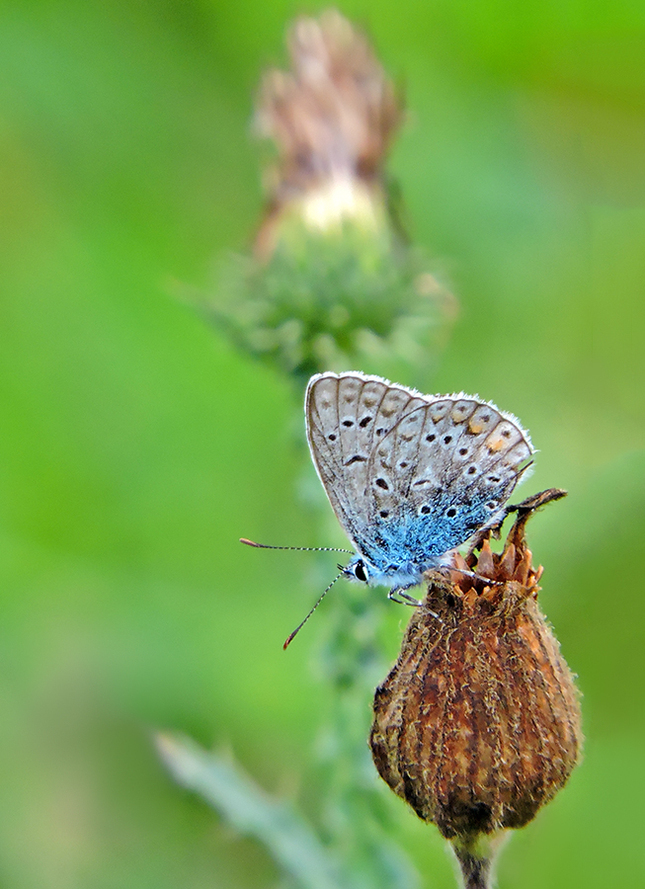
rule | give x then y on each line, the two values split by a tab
136	446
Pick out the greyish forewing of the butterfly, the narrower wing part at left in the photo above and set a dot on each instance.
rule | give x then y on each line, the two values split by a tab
347	415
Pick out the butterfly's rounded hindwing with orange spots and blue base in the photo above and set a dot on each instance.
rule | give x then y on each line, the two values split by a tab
442	473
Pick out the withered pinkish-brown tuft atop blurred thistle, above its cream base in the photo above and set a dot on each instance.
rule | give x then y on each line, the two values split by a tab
335	112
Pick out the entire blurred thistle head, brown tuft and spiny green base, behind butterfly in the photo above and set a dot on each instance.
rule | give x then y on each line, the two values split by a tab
332	282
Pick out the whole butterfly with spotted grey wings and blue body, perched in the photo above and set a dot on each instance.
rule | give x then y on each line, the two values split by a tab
410	477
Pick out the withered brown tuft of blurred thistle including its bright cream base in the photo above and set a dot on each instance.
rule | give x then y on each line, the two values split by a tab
332	118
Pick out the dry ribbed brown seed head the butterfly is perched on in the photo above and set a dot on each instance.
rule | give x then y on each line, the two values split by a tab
478	723
